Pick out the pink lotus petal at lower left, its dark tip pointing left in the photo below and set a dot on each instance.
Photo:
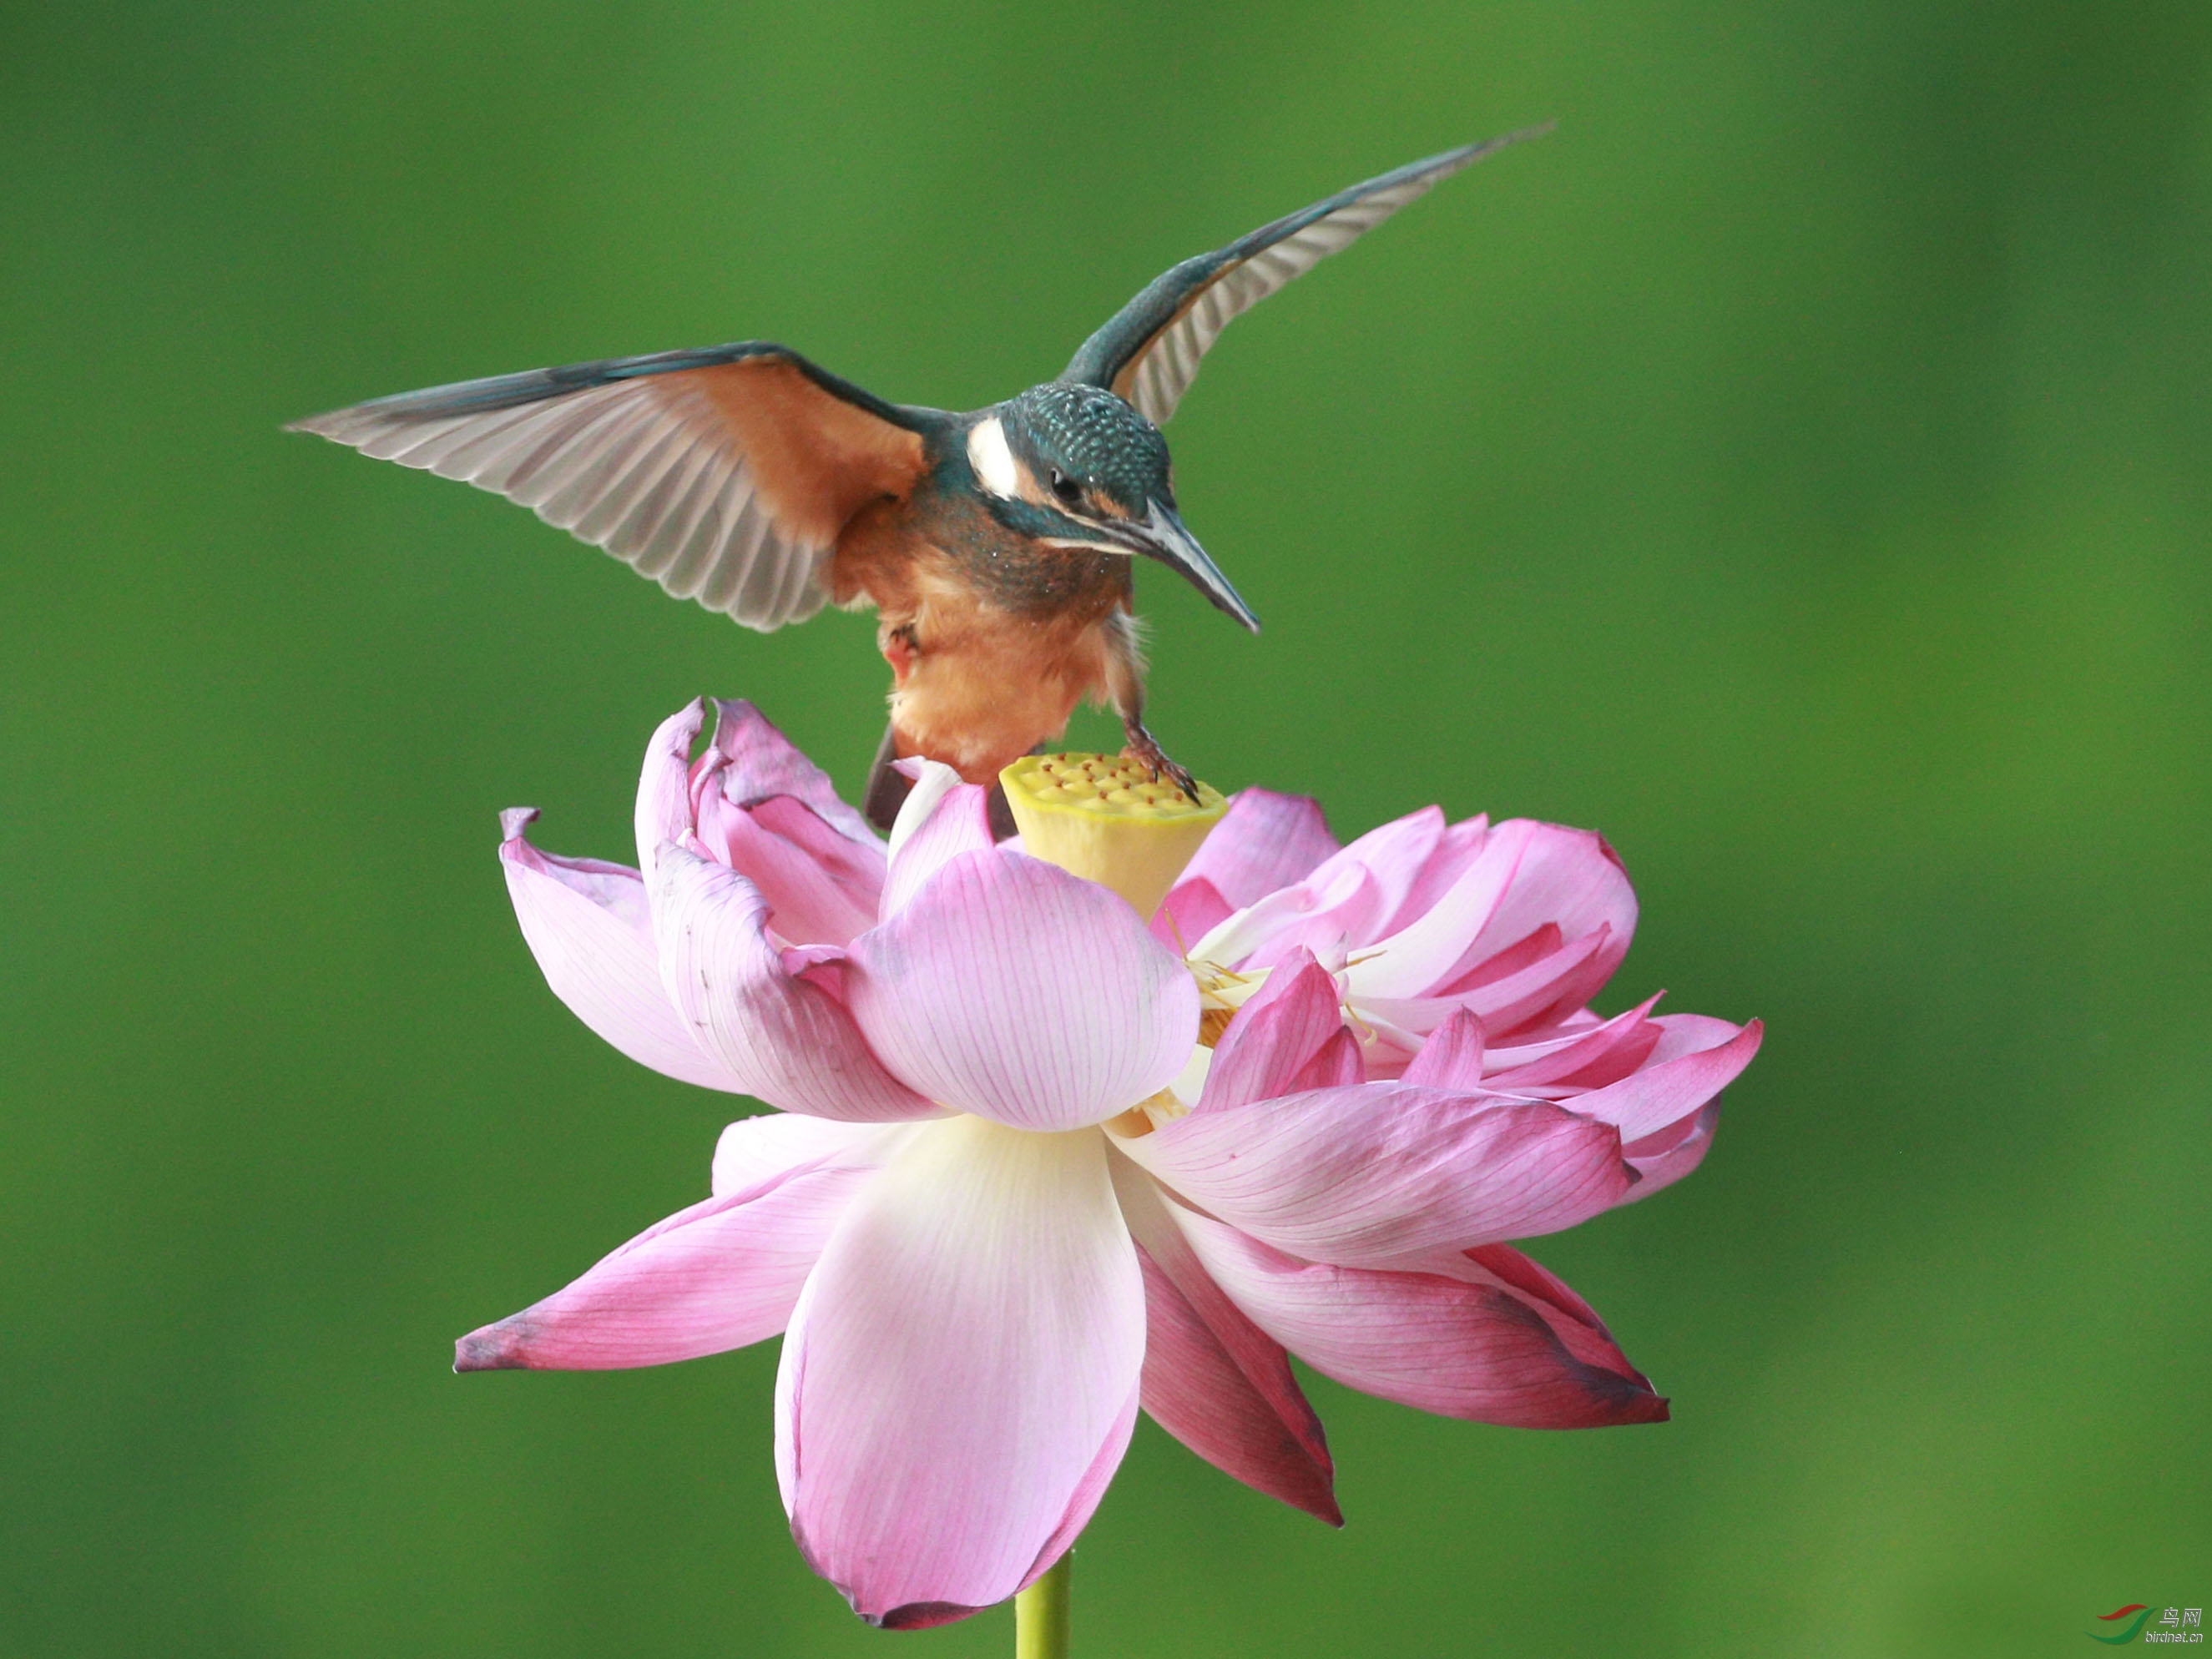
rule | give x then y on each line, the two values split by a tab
713	1277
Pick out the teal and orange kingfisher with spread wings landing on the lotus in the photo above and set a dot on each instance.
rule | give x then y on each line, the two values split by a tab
997	547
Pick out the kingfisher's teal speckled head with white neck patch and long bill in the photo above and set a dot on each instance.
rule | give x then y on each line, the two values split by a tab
1074	466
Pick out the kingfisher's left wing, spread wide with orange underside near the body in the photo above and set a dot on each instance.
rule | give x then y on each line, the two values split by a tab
724	474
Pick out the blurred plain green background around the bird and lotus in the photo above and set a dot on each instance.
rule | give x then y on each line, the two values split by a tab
1797	468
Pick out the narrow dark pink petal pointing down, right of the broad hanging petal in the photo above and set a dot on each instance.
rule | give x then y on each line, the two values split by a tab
1211	1377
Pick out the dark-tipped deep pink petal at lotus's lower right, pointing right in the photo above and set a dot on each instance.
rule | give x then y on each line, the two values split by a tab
1465	1350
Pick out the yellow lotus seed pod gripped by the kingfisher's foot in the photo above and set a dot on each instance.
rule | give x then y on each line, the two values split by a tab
1103	817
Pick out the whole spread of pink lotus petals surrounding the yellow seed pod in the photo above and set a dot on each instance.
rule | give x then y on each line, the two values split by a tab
1034	1167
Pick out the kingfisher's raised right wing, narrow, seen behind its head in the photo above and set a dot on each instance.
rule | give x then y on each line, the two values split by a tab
1151	351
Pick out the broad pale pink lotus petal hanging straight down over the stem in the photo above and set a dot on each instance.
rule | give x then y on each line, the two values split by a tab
961	1370
